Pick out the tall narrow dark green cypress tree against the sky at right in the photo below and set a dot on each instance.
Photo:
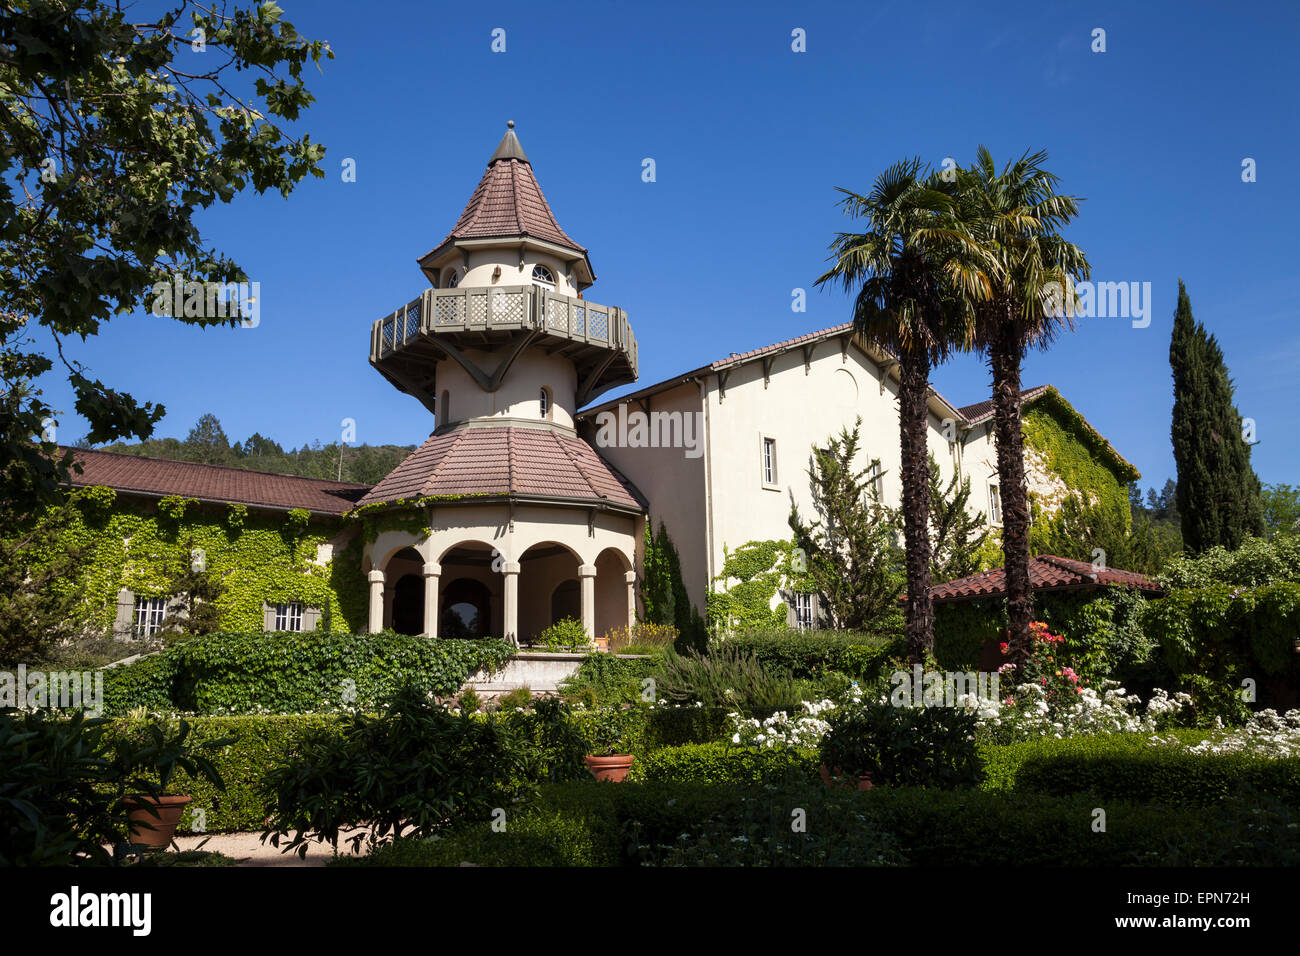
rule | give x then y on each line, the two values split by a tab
1219	492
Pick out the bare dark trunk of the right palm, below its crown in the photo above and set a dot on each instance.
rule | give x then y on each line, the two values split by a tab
1006	356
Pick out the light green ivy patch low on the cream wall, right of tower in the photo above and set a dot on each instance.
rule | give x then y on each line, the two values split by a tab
759	570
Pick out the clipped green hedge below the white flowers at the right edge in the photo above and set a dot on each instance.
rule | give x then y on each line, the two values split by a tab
1128	768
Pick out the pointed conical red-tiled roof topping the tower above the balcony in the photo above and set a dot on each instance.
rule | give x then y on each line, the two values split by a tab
509	204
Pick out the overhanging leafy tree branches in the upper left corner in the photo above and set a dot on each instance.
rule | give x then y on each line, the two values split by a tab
115	135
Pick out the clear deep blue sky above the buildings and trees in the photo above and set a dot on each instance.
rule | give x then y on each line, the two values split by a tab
751	141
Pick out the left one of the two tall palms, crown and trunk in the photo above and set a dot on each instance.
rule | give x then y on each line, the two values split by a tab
908	270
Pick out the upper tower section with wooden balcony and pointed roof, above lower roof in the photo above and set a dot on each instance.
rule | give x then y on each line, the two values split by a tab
504	332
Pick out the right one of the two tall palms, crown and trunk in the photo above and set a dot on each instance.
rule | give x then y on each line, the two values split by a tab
1016	218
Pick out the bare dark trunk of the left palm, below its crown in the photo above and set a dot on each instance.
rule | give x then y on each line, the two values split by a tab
913	430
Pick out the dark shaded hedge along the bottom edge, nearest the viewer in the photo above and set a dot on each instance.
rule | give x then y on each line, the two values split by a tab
640	824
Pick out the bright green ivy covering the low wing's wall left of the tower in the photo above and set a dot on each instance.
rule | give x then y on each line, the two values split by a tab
259	557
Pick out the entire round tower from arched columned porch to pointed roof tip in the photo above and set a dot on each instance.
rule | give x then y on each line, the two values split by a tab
523	522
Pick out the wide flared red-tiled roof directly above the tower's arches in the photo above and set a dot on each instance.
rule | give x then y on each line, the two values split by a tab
497	461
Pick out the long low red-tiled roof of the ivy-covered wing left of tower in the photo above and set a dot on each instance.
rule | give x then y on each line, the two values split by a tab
159	478
